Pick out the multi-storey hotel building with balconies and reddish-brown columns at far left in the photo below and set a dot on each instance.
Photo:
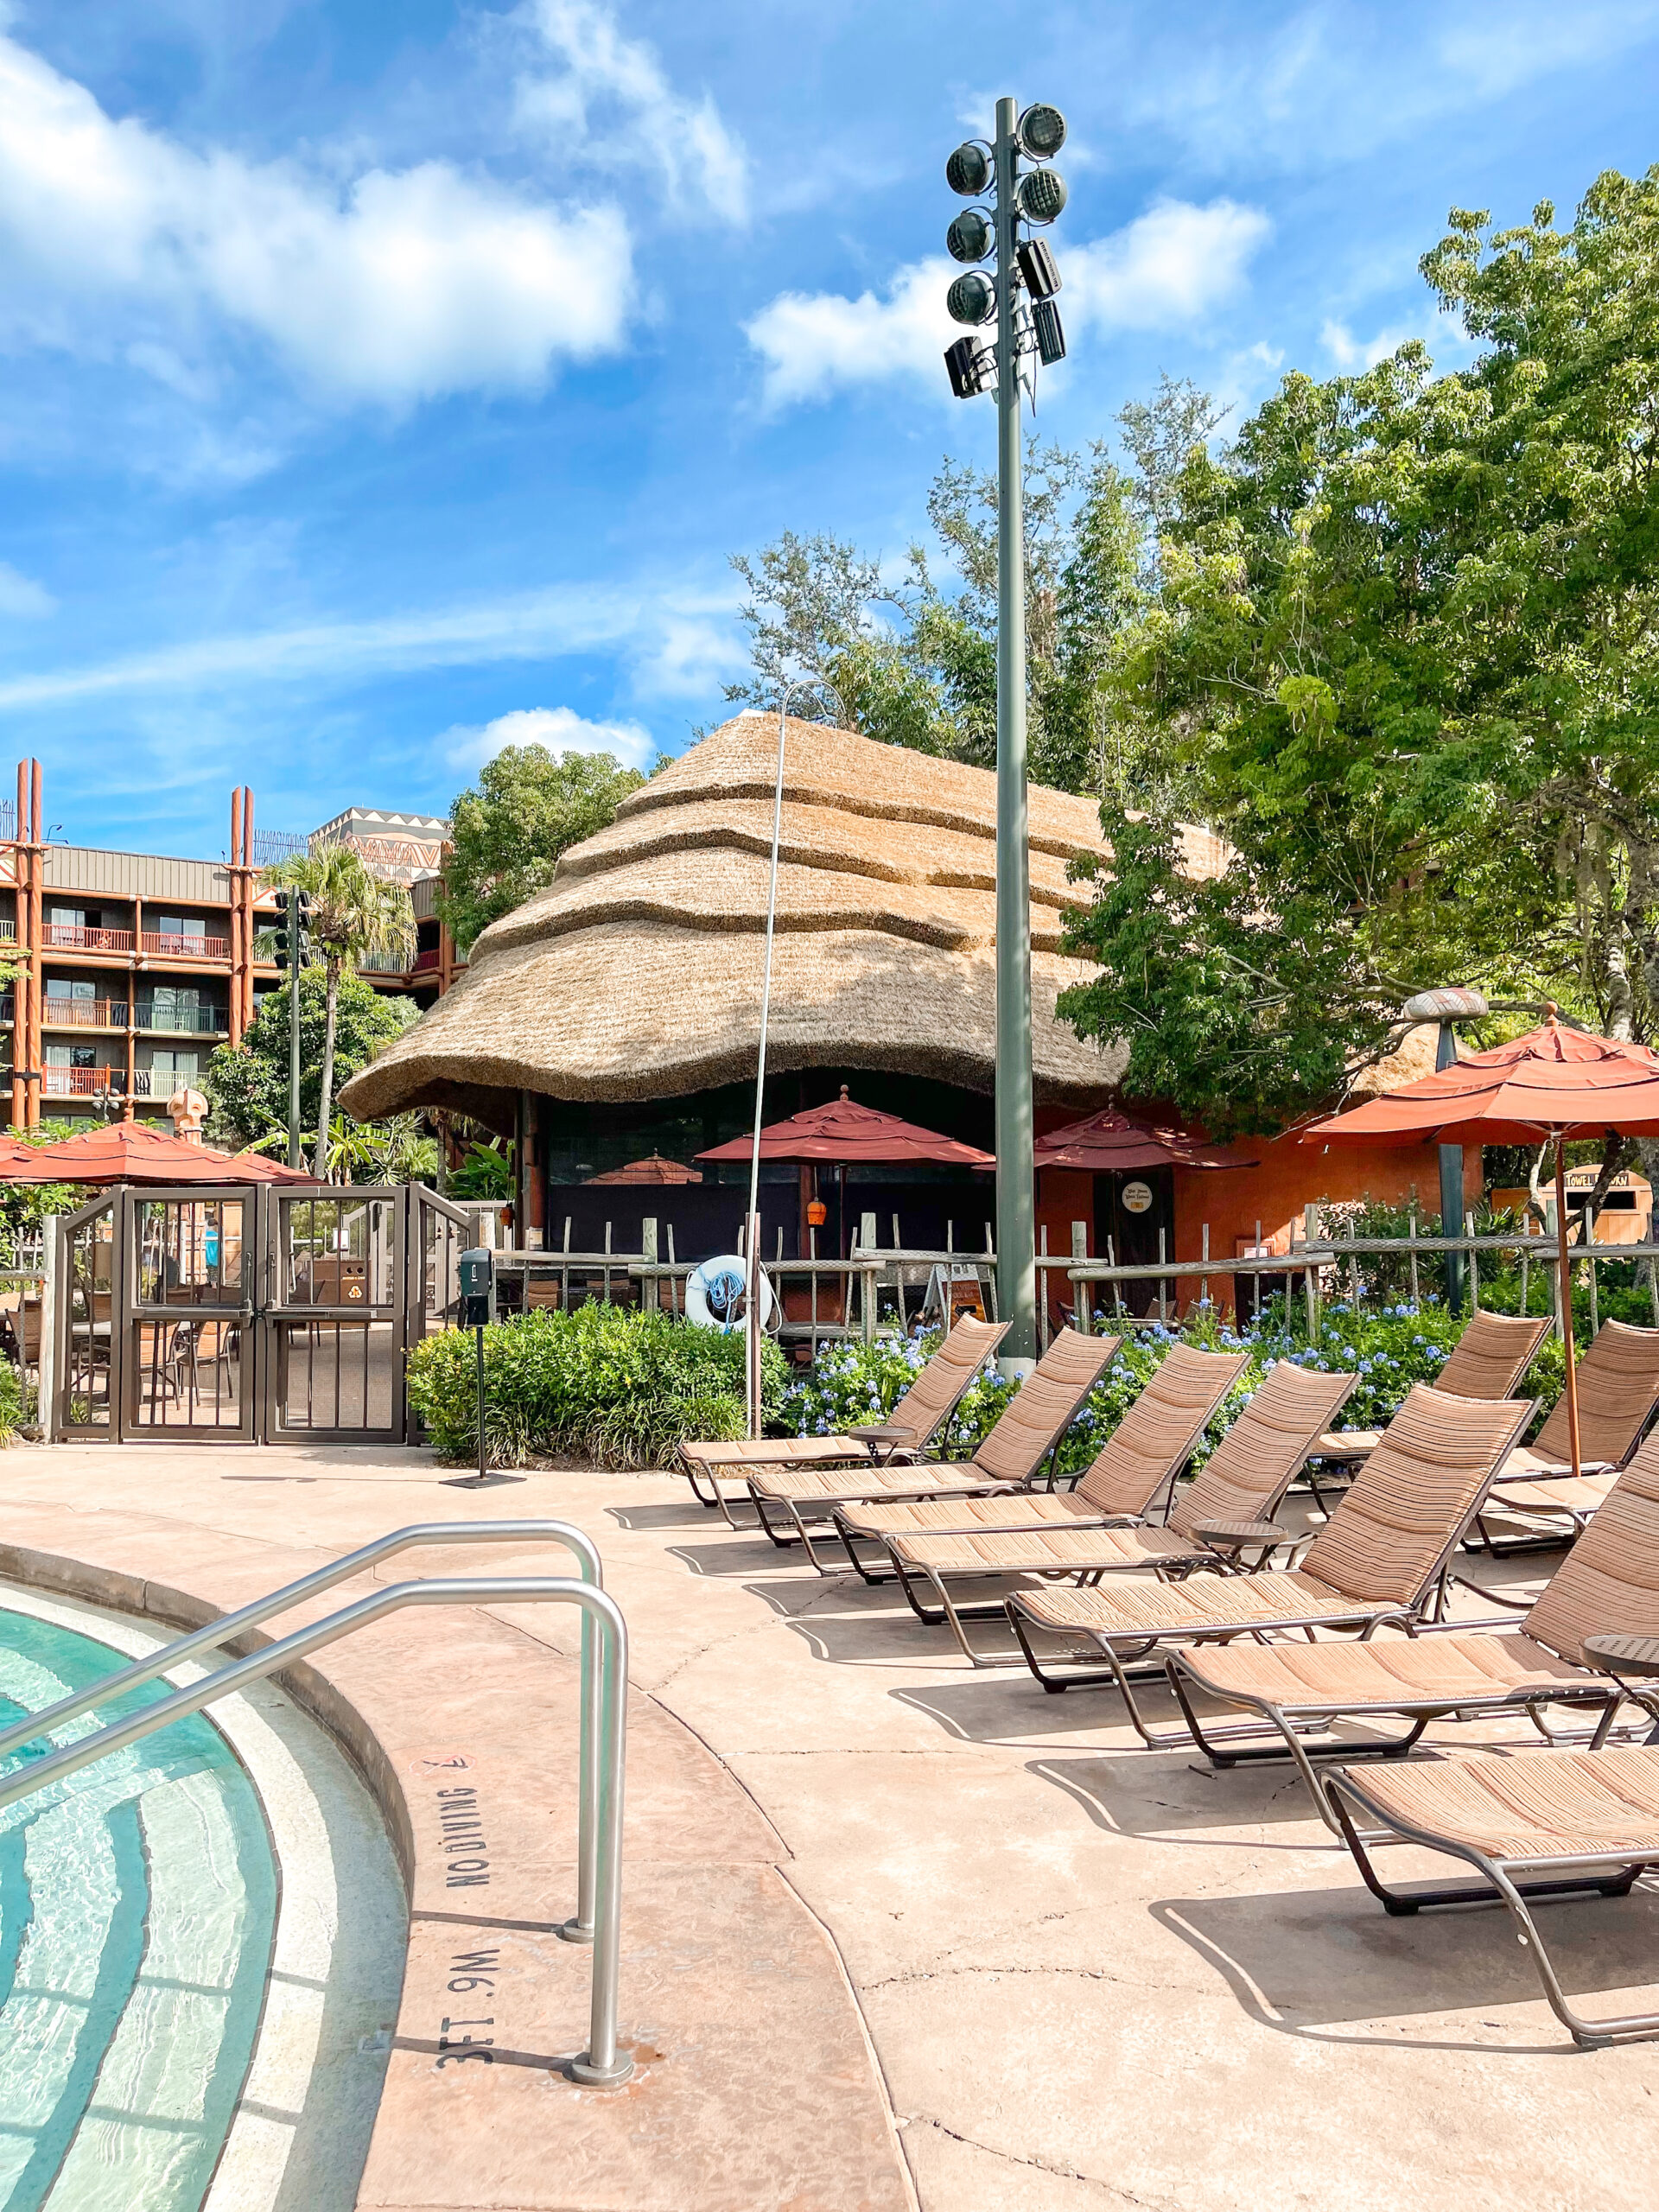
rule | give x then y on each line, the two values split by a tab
132	968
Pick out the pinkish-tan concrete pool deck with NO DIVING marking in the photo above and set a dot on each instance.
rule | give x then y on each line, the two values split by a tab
895	1932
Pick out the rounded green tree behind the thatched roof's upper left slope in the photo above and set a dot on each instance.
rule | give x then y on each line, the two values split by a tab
510	828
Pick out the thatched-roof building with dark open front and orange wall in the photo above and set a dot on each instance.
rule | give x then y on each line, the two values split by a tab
616	1016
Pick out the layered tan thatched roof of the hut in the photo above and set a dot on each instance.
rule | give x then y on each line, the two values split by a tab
638	974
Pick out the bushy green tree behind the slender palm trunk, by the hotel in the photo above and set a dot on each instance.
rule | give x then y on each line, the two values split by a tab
249	1083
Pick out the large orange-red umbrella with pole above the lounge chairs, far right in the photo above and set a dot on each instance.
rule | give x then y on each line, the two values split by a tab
1550	1085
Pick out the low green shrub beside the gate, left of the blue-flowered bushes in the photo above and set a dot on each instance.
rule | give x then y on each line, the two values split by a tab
603	1381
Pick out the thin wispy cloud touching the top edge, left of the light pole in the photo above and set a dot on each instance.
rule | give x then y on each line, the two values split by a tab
614	105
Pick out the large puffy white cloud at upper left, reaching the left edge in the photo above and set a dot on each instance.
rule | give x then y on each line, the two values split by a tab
393	286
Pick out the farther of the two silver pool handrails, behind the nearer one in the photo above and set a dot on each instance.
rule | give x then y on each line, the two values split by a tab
324	1578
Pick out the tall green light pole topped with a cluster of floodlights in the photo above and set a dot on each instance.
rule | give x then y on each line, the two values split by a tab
1027	196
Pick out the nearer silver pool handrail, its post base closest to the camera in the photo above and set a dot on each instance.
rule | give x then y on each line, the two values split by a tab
601	1813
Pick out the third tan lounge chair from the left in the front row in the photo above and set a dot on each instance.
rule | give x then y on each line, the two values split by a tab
1136	1465
